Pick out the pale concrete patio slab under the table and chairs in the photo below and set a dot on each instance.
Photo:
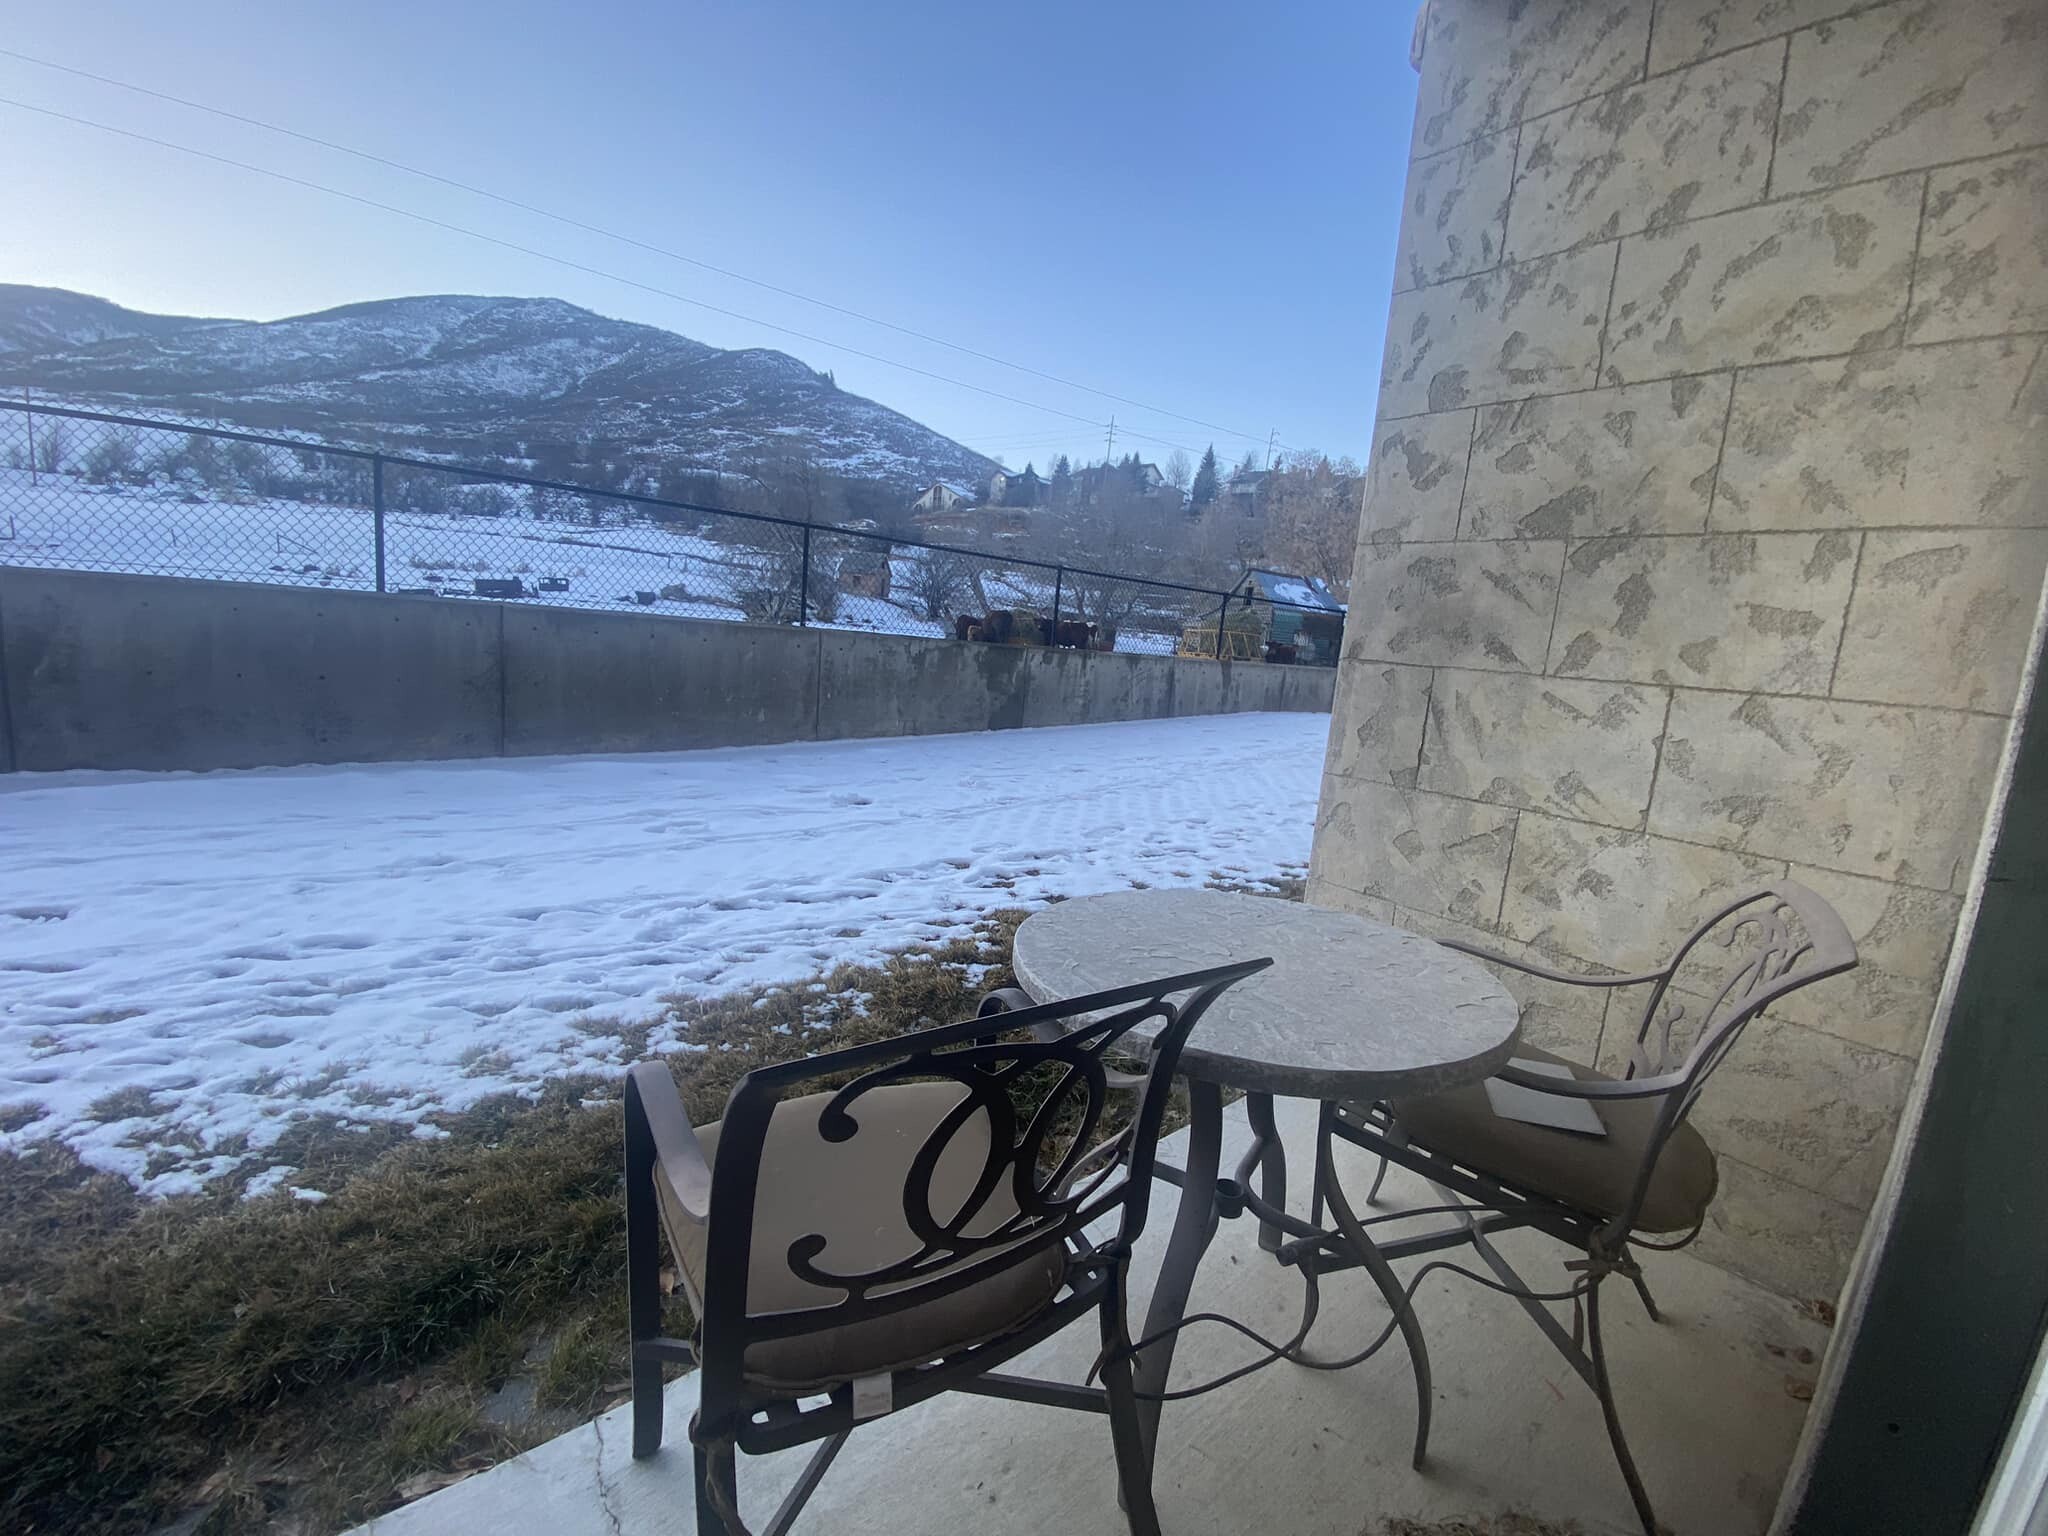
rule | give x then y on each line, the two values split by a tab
1287	1451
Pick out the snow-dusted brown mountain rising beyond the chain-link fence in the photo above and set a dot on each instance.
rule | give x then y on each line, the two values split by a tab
468	378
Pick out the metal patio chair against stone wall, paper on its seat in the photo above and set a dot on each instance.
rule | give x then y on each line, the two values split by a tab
1650	1175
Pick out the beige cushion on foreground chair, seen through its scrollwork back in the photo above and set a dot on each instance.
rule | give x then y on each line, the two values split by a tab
853	1193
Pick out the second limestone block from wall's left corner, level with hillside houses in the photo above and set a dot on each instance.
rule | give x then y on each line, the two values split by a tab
1635	460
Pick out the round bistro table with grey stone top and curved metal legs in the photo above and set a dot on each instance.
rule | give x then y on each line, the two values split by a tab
1349	1011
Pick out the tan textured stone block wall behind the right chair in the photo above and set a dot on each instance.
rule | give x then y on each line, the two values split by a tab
1707	521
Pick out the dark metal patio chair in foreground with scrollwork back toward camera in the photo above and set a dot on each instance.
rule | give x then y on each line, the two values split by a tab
878	1226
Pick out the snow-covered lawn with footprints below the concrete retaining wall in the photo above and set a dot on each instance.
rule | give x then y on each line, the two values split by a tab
189	959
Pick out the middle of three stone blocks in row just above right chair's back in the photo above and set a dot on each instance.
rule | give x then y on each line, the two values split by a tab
1572	749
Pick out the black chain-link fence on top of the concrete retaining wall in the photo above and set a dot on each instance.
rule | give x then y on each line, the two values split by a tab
103	493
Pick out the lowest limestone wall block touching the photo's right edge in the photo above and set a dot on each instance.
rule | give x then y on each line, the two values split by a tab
1943	617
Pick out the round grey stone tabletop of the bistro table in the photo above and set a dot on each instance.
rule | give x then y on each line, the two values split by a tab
1351	1009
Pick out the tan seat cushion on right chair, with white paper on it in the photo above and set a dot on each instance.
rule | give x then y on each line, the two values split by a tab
1594	1175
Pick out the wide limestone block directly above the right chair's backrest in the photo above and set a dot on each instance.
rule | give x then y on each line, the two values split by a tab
1871	790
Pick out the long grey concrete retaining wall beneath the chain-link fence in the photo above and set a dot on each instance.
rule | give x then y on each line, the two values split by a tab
163	673
